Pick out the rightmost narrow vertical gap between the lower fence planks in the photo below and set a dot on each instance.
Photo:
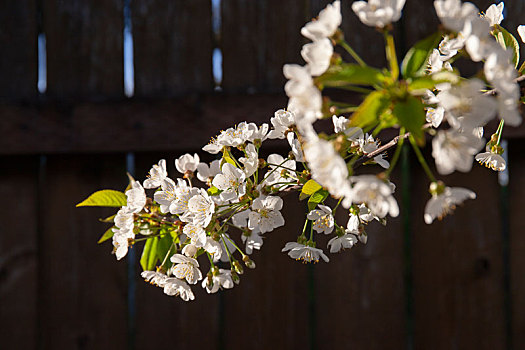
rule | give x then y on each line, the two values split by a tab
503	180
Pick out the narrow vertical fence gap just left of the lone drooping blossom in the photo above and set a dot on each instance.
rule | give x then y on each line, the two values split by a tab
407	251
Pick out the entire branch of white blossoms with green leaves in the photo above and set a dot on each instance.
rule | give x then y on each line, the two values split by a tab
205	224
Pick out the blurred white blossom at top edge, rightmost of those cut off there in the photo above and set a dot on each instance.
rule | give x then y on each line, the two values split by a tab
453	13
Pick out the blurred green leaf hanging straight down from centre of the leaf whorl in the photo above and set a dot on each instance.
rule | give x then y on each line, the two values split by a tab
410	113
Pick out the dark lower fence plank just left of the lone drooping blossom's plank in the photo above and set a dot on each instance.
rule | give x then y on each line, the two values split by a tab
360	294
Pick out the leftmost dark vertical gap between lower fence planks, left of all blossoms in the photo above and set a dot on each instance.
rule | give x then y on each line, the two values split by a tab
41	183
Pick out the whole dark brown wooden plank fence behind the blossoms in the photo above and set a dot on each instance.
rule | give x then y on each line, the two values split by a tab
457	284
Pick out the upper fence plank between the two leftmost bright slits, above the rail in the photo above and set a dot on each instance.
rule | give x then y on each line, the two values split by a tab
84	49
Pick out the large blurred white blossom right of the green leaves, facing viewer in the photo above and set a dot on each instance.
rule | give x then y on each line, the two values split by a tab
466	106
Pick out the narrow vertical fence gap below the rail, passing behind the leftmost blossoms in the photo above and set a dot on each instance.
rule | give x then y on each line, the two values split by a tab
131	260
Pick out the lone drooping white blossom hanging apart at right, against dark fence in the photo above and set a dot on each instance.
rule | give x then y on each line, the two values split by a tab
445	202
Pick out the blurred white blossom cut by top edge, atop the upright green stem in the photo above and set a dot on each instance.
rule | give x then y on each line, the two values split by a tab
378	13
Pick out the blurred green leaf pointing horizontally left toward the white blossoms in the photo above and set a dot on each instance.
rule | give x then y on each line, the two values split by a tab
349	73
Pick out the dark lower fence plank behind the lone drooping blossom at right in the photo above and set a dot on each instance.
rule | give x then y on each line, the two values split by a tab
458	268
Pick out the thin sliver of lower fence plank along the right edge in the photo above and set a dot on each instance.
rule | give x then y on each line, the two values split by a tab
516	192
